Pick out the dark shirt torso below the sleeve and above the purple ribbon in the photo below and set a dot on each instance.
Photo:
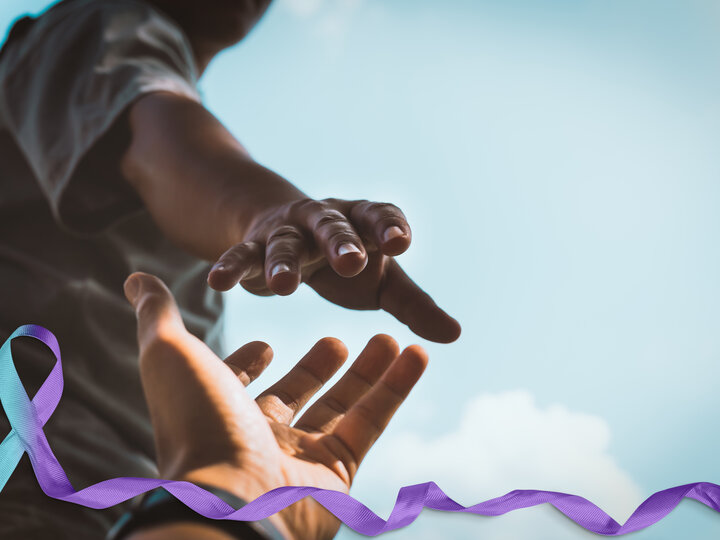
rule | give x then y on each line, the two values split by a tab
73	286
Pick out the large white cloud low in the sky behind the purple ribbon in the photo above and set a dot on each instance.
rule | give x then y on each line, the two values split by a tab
503	442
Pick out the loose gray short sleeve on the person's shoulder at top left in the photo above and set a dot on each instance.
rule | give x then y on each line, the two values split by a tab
68	81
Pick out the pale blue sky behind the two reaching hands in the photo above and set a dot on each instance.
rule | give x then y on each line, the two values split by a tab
558	163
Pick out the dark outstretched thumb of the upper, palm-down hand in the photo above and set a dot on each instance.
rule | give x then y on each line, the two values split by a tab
409	304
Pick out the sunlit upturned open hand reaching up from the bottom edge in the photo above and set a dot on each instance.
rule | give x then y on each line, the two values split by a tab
208	429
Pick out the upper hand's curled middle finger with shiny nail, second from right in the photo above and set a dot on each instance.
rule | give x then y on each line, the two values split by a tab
335	236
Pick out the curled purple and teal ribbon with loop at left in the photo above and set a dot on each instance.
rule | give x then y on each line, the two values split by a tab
27	419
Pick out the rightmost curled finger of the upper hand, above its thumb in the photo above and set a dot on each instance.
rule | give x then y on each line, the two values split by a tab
385	224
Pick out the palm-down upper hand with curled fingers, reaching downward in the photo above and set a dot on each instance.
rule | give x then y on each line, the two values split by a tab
342	249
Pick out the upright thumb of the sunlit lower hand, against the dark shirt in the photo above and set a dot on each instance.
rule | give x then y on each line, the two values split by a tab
155	308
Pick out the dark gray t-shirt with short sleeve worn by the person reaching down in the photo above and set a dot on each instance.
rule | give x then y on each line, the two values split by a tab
71	230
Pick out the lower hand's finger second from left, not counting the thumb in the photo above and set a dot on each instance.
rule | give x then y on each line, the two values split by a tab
285	398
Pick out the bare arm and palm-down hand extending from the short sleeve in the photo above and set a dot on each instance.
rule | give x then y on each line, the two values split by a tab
208	196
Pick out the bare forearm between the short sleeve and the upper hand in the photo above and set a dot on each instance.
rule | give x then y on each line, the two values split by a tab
197	181
